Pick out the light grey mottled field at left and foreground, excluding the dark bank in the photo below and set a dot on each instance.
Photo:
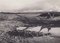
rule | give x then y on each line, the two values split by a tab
7	24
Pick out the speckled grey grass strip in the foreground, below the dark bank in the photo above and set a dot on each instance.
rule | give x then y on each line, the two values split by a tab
6	38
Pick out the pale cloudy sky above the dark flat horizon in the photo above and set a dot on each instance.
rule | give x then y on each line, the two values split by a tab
19	5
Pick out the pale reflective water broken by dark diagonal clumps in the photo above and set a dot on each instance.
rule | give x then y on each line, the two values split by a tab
53	31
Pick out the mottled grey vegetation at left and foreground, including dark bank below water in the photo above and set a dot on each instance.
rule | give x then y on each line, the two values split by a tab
8	36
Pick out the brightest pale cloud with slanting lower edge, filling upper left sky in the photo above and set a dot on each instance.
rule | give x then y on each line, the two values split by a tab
6	5
